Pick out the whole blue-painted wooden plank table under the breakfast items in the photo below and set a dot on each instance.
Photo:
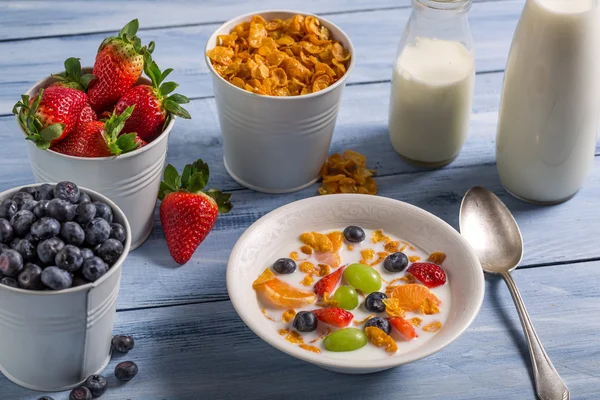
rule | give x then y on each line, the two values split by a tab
190	343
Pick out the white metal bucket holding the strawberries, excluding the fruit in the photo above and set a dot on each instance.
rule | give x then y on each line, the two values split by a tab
131	180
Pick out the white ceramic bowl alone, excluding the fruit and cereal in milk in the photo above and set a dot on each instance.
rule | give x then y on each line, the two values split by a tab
261	242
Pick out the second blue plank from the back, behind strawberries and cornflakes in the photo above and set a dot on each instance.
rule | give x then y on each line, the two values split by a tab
375	35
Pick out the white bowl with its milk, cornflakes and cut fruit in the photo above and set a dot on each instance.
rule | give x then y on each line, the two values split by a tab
353	283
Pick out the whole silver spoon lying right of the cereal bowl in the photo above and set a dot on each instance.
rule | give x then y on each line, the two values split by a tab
489	227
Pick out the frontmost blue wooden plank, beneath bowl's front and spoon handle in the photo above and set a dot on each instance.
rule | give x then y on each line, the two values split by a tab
206	352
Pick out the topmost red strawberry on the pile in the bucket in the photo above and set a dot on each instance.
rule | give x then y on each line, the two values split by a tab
119	64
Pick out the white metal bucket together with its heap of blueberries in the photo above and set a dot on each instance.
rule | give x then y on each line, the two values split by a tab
61	252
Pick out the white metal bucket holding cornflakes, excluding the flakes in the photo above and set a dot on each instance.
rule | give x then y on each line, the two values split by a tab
276	144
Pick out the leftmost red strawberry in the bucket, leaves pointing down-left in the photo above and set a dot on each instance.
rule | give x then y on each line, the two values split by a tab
52	115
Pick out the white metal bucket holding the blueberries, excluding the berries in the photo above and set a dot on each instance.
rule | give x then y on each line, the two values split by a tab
54	340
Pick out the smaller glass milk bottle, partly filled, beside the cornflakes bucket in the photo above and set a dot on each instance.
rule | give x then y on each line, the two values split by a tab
433	83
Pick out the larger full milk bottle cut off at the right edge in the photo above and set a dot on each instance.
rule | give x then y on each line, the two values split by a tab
548	119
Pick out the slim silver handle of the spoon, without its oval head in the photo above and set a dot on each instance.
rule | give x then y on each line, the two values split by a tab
548	384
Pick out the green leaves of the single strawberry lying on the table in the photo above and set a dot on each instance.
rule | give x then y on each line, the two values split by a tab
193	180
